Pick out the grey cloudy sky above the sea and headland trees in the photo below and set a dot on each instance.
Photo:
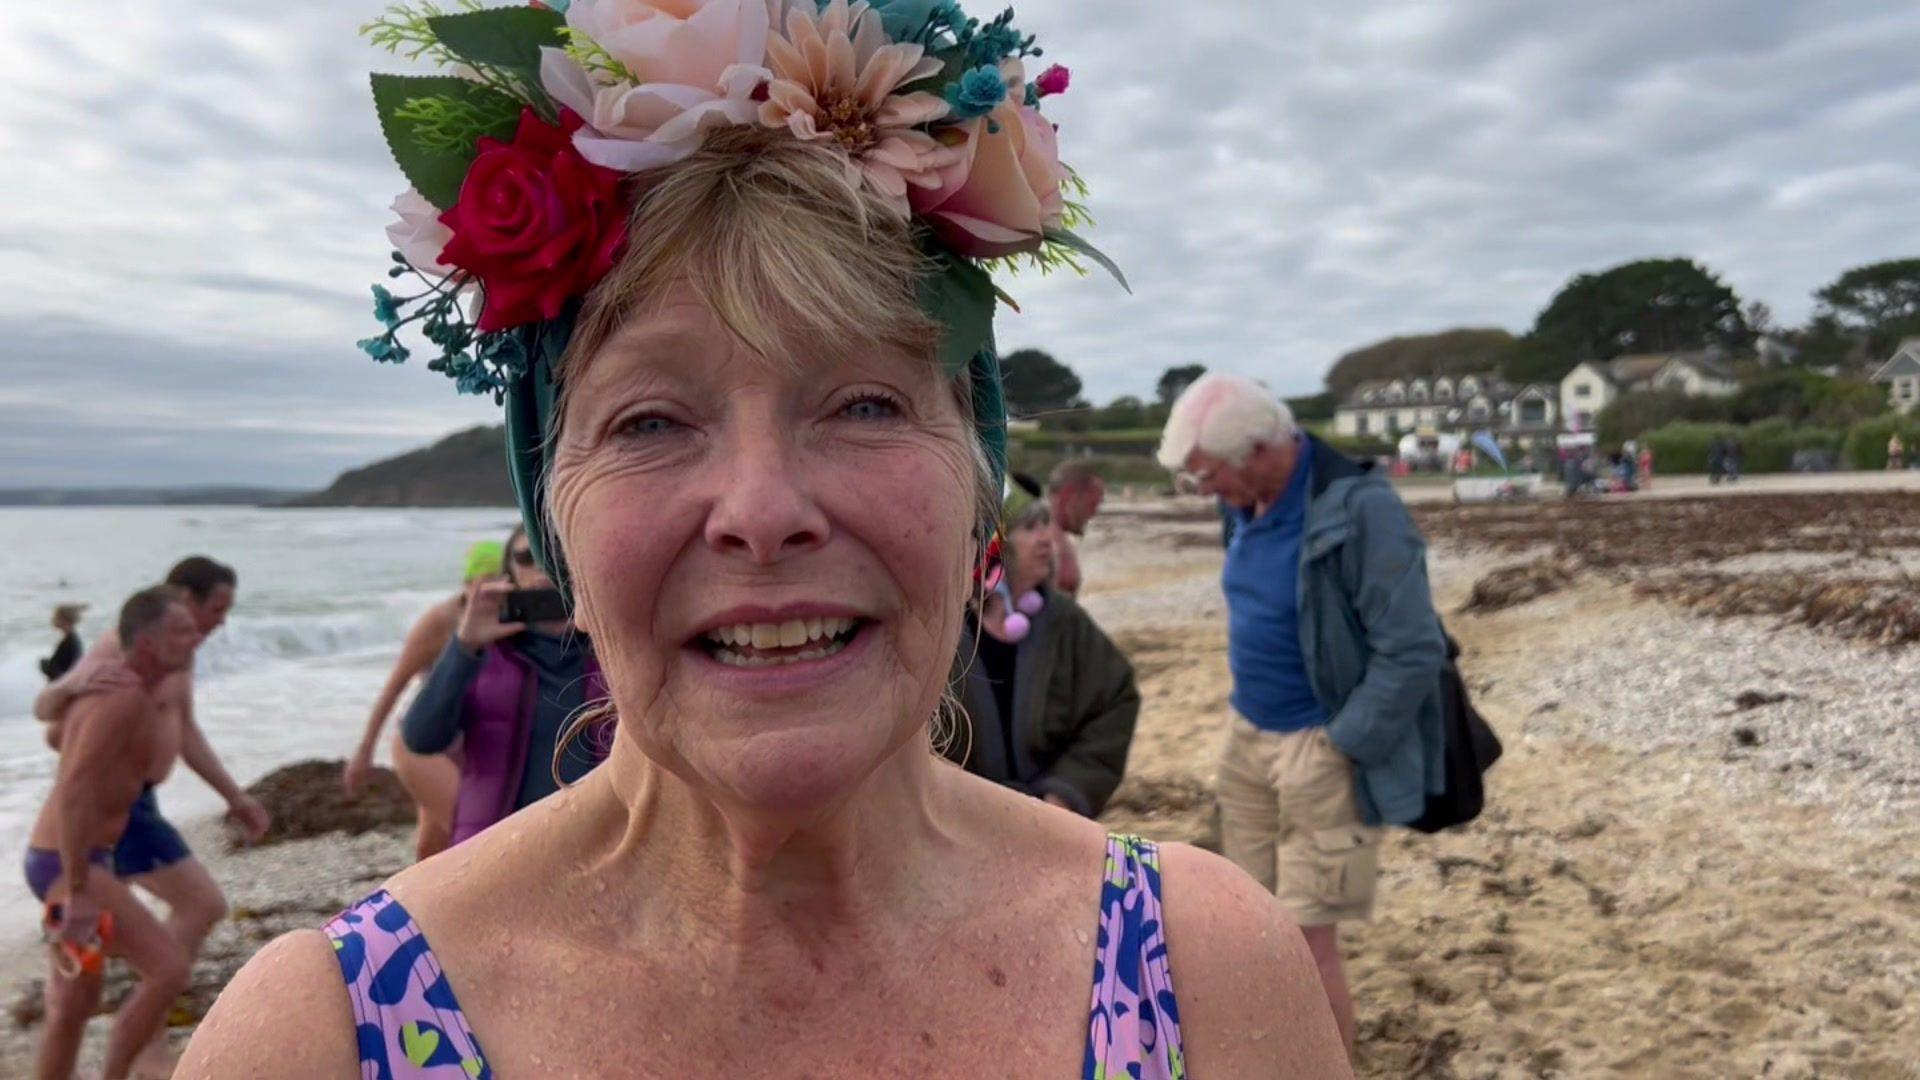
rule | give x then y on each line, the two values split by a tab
195	199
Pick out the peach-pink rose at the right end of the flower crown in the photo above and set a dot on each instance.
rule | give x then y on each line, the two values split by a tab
1005	191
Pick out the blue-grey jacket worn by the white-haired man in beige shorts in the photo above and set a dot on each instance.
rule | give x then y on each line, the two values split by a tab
1370	635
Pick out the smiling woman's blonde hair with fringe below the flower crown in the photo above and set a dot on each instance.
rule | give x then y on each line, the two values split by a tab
790	253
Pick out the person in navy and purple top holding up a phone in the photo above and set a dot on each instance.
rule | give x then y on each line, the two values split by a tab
506	689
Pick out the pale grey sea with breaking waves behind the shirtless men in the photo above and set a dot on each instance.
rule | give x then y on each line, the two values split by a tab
324	604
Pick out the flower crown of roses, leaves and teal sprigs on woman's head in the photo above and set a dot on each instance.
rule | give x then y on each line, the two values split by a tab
519	153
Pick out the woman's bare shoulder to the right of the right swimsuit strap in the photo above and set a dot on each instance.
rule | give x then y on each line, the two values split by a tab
1249	991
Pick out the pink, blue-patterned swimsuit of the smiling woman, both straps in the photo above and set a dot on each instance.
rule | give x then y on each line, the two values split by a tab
412	1029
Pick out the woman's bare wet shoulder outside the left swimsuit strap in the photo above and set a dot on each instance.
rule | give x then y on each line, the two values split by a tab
285	1014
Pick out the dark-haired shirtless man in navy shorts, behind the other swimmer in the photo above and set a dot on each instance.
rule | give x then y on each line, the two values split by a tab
153	854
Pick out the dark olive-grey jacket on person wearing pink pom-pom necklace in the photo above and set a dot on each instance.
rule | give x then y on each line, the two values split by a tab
1074	712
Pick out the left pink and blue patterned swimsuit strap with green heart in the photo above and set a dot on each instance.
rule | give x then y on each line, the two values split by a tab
406	1018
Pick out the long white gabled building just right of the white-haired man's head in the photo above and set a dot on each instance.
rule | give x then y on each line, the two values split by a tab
1383	408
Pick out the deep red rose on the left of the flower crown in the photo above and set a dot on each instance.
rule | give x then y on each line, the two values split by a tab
537	224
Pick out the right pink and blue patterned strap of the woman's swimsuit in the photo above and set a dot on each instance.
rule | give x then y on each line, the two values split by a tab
1134	1027
